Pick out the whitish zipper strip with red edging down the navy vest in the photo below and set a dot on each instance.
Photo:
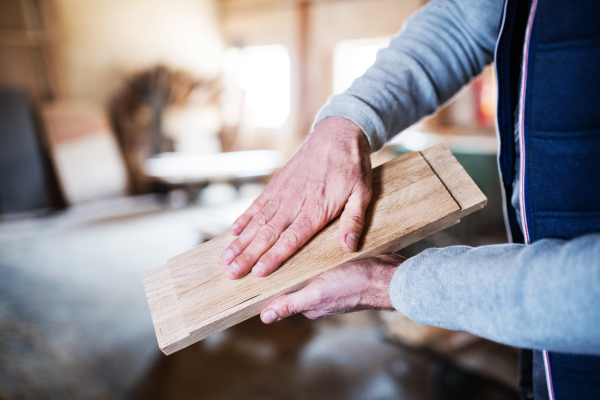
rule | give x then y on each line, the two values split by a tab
522	89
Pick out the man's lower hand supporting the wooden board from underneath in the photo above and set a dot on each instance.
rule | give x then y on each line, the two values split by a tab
354	286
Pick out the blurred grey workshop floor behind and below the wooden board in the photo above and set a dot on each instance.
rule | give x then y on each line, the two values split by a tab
74	324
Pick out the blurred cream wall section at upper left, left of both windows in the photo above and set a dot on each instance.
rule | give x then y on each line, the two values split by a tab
104	40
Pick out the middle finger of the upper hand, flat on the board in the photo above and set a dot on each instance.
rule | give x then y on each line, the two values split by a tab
264	239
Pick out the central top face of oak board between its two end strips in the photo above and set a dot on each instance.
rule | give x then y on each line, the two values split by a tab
198	275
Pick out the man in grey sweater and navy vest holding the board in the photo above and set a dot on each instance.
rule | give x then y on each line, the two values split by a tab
542	291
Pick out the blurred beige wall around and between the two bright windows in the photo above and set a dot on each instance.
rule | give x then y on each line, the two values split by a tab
261	22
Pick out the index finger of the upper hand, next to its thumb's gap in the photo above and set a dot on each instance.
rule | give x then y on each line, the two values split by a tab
290	240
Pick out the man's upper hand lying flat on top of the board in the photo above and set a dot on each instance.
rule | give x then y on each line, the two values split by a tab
331	172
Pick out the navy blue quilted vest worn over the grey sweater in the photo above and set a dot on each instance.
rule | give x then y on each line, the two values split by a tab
560	93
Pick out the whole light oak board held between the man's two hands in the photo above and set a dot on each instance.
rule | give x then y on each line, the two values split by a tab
414	196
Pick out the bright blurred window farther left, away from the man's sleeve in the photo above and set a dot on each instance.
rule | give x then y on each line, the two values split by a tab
263	72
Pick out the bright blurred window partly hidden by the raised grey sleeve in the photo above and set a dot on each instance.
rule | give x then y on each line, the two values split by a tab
351	58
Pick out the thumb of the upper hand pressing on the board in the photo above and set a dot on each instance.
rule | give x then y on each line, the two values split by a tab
352	220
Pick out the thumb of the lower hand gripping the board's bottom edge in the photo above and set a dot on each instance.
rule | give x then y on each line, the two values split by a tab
290	304
